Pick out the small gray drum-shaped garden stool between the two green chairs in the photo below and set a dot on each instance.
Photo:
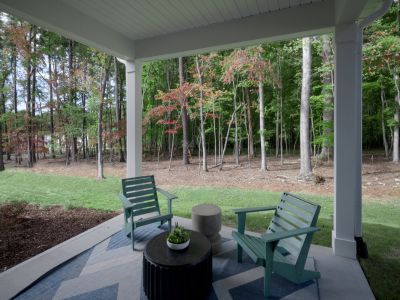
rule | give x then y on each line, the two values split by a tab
206	218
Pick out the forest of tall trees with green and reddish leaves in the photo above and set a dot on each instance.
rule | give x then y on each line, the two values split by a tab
59	98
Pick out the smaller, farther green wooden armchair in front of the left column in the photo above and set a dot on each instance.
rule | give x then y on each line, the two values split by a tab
140	202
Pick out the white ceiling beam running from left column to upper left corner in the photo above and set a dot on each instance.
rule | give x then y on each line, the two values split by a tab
65	20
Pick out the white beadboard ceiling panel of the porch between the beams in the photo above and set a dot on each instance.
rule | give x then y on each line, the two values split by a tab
139	19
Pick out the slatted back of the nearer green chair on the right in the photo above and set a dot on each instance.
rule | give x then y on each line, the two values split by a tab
293	212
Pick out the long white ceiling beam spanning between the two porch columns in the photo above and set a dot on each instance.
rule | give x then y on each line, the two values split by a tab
316	18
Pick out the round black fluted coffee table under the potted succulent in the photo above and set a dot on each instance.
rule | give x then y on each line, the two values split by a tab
185	274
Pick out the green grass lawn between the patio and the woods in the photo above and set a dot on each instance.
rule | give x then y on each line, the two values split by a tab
381	220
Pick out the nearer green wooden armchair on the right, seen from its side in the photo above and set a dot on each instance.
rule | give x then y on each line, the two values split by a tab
284	247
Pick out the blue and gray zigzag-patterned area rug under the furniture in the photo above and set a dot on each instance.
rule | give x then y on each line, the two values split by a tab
111	270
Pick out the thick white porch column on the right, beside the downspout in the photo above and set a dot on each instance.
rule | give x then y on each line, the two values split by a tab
348	139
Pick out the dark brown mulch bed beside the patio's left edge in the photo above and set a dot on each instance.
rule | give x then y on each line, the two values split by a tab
27	230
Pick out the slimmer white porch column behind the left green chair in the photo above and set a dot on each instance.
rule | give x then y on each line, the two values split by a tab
133	118
